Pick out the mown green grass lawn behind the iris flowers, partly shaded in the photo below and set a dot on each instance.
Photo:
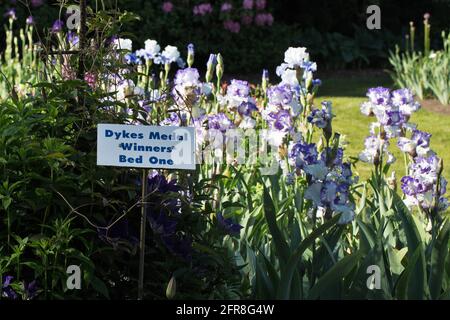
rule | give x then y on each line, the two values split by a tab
348	92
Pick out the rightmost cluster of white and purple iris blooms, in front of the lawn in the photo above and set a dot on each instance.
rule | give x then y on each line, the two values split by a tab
424	186
